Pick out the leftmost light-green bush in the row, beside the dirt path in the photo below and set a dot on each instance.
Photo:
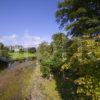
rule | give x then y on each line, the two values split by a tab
44	56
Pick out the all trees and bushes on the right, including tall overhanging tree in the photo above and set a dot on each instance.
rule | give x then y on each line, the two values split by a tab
76	59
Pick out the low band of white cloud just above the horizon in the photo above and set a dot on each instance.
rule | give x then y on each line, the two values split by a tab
26	40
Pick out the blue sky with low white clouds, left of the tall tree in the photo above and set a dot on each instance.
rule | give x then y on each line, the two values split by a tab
27	22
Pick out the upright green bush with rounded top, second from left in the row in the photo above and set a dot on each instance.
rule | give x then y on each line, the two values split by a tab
59	50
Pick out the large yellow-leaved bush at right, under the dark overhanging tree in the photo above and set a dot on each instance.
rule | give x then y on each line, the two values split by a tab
83	64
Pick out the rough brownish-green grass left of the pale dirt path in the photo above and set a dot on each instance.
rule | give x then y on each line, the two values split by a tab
15	83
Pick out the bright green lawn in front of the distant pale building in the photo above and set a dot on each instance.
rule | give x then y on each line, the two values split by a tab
20	56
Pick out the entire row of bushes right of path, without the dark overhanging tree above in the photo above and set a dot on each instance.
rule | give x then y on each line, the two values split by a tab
75	60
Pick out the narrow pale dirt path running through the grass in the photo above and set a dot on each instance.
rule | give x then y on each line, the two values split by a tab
36	93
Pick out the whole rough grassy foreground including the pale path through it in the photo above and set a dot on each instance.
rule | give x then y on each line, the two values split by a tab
22	81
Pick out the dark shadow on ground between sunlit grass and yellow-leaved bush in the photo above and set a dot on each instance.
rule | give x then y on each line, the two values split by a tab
66	87
